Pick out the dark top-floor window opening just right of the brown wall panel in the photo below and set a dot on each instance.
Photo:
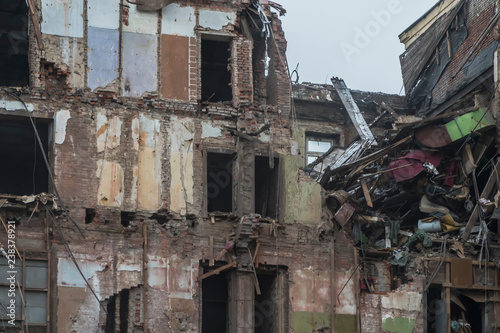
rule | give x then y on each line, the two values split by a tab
215	74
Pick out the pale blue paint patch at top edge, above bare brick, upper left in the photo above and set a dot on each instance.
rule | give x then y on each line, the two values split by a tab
62	18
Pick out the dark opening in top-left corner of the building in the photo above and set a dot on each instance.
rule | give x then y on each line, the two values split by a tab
14	43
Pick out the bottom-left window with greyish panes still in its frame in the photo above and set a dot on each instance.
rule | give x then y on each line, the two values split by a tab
32	276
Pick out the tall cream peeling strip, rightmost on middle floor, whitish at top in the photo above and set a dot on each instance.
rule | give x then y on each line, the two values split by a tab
181	164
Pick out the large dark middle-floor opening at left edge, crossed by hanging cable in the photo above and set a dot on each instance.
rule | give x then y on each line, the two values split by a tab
23	170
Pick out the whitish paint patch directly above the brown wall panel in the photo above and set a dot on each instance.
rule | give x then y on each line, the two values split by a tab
177	20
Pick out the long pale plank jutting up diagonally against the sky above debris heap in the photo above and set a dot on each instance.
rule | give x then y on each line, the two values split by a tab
353	110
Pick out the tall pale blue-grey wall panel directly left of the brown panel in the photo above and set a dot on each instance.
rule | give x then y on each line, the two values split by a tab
139	63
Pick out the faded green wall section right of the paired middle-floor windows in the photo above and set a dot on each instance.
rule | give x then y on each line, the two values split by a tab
302	198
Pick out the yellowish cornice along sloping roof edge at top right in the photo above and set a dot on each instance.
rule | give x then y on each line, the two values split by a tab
439	9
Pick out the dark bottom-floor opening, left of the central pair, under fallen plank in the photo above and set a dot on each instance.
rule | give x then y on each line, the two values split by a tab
214	304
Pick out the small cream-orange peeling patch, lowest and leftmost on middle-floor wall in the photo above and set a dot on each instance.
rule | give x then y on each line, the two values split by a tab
111	189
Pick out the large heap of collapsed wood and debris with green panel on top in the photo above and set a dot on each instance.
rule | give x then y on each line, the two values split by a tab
437	176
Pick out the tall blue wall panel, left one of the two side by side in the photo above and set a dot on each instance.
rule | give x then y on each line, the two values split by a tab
103	56
